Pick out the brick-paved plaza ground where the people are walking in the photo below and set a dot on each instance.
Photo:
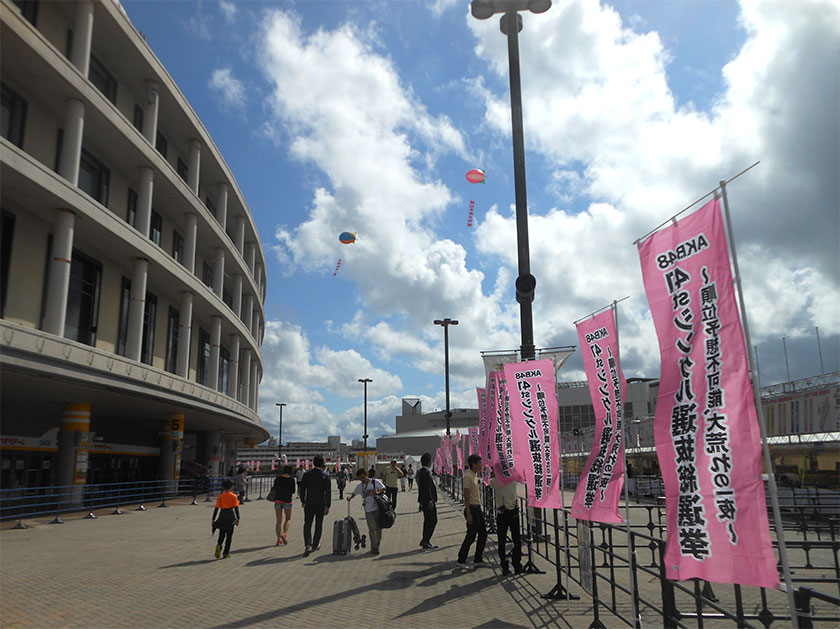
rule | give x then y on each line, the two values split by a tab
156	569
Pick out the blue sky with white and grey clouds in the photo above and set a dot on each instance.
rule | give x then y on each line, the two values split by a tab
365	116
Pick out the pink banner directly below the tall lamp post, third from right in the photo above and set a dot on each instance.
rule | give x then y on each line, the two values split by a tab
533	419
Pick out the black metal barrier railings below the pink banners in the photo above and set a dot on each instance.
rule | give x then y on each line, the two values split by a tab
623	573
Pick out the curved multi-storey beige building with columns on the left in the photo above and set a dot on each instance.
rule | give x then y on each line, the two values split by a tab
133	278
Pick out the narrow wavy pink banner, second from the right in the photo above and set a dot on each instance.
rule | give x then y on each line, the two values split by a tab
599	488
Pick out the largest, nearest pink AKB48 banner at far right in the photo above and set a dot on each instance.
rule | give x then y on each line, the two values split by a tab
706	427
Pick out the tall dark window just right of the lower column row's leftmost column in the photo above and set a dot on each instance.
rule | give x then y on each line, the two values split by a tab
83	299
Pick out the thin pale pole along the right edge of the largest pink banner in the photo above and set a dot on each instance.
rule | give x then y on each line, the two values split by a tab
768	462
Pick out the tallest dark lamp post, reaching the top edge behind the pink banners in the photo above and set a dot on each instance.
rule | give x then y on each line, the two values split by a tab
511	24
